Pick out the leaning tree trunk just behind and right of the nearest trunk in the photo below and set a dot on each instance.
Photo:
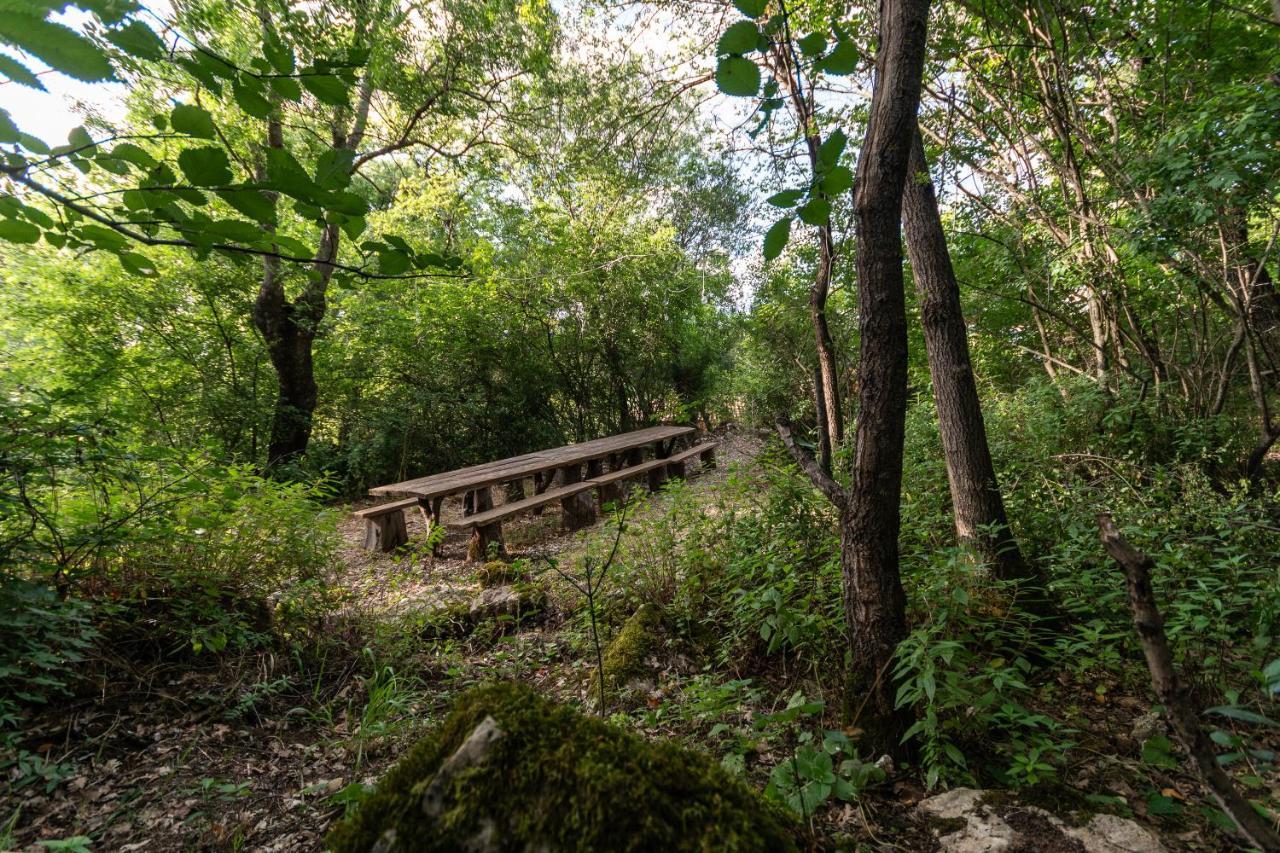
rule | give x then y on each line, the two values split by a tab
976	499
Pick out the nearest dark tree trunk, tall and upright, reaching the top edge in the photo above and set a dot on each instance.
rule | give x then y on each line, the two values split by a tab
875	603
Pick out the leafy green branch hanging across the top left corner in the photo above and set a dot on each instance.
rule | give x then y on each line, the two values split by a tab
185	184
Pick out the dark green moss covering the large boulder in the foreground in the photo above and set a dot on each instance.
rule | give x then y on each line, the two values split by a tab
560	781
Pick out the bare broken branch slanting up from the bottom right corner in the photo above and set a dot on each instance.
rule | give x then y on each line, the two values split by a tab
1180	708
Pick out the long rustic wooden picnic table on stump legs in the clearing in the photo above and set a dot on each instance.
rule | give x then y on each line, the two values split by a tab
623	451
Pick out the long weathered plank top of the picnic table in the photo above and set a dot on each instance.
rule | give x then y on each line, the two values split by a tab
476	477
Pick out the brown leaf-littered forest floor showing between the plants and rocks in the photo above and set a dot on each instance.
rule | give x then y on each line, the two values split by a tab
264	752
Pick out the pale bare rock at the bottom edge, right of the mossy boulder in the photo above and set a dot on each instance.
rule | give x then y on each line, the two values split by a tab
967	822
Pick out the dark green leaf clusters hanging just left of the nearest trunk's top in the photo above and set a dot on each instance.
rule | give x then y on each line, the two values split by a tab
738	74
